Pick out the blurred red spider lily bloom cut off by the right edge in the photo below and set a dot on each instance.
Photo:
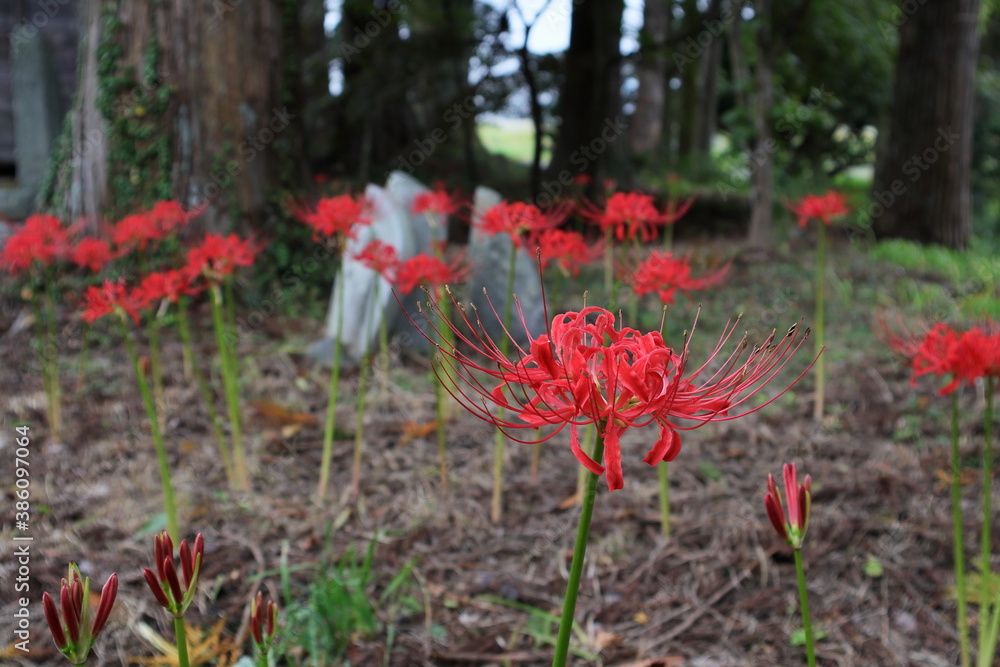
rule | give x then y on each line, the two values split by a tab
963	356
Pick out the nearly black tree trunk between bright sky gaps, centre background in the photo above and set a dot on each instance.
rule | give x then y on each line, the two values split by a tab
590	100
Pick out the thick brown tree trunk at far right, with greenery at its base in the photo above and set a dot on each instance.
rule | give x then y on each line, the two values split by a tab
922	186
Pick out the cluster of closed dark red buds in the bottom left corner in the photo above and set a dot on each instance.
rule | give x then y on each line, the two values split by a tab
74	633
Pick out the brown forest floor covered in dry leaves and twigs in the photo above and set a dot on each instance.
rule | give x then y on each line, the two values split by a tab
720	591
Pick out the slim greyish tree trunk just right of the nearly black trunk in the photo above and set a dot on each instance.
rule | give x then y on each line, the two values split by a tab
646	130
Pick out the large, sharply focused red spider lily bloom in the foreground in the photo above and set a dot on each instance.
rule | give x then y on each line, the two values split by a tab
584	370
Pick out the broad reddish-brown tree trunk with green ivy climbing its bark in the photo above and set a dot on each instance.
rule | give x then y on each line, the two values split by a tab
186	101
